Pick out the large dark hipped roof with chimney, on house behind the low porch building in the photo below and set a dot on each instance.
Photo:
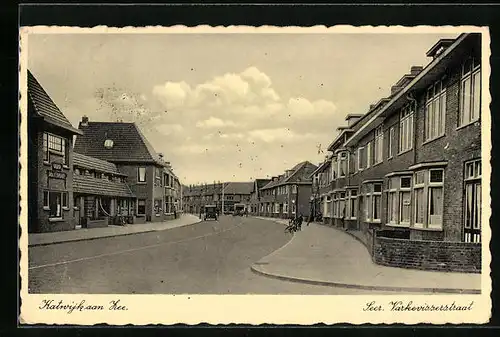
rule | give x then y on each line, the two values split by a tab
129	144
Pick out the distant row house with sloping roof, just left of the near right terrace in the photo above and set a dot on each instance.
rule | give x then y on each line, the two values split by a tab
288	194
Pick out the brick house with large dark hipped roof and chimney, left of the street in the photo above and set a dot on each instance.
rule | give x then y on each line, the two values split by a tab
149	177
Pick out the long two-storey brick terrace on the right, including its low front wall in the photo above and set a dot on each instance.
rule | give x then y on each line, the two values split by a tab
408	173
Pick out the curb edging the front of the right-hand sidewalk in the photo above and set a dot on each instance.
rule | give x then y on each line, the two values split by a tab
363	287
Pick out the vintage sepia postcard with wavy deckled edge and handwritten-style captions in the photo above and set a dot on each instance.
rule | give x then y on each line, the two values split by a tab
280	175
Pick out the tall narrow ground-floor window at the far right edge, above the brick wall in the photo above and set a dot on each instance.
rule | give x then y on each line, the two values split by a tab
472	202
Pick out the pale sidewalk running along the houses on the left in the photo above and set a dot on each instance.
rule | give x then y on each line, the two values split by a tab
41	239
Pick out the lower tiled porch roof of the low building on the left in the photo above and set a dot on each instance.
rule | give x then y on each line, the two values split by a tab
91	185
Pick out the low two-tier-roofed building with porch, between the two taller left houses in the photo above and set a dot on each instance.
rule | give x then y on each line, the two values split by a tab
101	194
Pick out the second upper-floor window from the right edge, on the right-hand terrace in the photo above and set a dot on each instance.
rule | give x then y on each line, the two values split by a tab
435	111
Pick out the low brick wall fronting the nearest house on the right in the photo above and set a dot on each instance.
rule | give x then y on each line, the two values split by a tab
428	255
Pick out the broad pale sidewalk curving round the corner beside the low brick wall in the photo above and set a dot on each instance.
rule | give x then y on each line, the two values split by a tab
326	256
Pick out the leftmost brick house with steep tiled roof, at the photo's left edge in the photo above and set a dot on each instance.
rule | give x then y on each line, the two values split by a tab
50	163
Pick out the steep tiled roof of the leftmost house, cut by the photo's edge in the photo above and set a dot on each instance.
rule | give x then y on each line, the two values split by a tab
45	107
